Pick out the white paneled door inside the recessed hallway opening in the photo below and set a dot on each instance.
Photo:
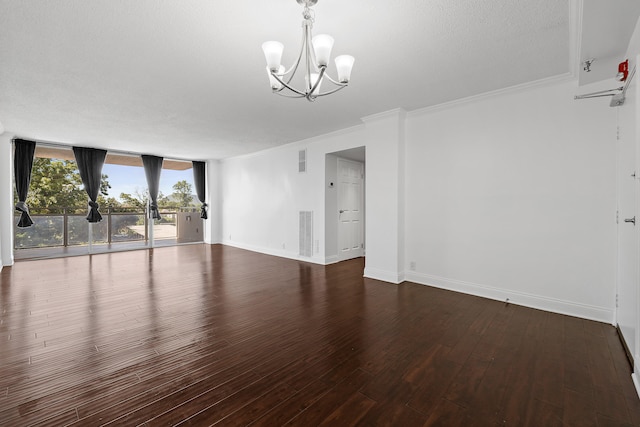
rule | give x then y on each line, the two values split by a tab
350	209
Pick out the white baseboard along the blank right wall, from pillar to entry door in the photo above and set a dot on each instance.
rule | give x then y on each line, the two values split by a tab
601	314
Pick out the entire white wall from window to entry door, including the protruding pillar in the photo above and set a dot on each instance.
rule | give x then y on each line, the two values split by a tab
505	196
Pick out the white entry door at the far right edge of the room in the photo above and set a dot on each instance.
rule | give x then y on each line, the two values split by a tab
627	182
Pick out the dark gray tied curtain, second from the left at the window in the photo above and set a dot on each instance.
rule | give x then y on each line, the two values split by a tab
90	161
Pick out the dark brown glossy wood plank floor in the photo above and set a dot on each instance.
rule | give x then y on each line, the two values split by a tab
214	335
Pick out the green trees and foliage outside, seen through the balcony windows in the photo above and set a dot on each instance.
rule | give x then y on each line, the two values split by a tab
56	189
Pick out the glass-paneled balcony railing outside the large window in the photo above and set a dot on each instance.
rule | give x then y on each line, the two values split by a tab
70	228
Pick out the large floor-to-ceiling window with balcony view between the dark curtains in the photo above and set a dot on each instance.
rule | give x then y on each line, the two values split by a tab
58	203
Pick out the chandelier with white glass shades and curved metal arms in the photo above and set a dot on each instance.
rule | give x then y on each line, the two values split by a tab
314	56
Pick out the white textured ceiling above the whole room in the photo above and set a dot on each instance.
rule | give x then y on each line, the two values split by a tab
187	79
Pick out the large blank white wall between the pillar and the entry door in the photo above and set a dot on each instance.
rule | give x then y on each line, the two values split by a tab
513	196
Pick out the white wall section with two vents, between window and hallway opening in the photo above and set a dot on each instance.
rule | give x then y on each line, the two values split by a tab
262	194
